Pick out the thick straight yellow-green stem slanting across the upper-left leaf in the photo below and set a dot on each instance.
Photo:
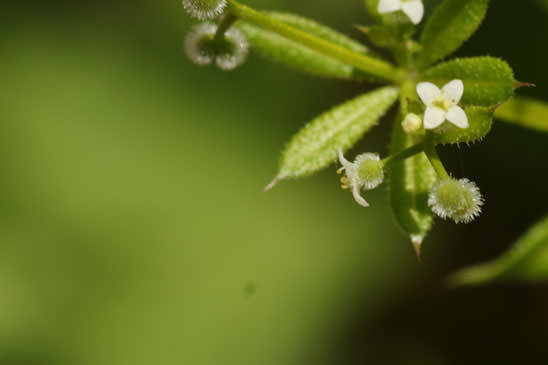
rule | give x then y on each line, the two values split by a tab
363	62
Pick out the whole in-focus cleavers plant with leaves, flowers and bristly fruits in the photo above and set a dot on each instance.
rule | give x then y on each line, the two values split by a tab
451	102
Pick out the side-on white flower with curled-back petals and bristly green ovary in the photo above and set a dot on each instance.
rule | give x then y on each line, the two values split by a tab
366	172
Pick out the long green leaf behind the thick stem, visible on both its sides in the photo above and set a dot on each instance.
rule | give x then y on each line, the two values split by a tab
302	58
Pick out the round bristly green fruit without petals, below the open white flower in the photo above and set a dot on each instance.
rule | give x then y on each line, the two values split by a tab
459	200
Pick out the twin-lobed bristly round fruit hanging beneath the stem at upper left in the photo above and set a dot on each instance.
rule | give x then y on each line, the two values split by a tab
203	48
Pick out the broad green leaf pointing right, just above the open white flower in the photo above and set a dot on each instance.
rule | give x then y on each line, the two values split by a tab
487	80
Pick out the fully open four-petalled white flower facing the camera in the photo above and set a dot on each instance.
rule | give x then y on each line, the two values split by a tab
441	105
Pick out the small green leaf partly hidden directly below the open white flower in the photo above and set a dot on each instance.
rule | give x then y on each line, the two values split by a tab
481	121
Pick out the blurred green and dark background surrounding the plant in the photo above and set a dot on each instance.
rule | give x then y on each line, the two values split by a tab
133	229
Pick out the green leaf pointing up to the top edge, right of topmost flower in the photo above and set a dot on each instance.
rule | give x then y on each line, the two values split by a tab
451	24
